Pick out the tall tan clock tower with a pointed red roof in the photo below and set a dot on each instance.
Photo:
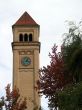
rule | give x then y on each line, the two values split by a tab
26	49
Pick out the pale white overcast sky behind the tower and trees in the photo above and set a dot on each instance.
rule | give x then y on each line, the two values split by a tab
49	14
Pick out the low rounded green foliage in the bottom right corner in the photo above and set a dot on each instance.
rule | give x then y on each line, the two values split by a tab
71	97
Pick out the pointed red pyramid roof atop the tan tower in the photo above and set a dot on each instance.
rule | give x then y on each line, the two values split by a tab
25	20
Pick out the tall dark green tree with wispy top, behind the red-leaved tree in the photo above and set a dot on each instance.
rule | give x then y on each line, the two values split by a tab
72	52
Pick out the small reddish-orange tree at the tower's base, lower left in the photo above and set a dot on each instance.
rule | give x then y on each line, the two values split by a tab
12	101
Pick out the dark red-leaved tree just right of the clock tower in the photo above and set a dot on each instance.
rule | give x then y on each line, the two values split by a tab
53	78
